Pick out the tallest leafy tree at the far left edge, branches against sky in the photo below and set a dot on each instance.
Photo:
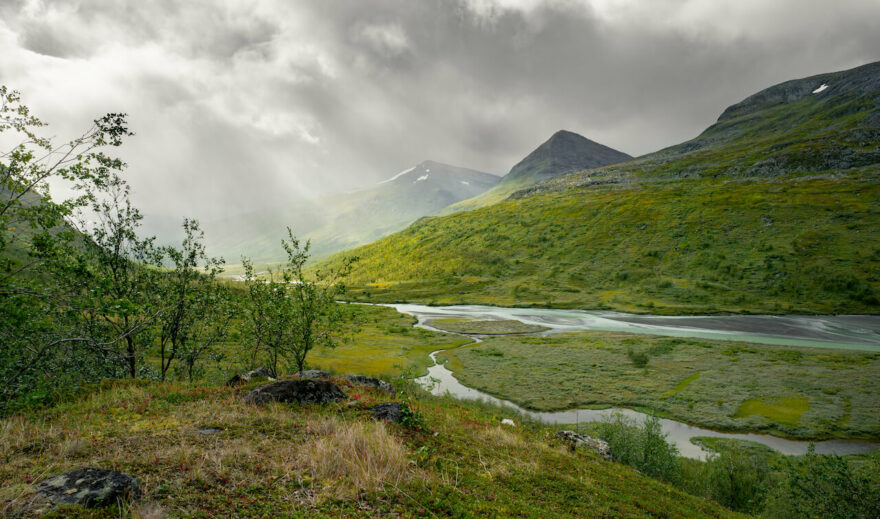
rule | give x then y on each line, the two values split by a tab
43	348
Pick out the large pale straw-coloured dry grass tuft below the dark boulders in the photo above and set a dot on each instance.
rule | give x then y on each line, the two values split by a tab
358	455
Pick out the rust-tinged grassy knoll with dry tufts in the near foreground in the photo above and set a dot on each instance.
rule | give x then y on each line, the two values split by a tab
333	461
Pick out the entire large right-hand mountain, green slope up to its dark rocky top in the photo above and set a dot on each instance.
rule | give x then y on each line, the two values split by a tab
774	208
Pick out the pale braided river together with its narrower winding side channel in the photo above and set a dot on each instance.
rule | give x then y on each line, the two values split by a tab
842	332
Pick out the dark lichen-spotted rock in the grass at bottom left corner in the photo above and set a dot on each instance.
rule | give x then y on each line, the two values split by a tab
89	487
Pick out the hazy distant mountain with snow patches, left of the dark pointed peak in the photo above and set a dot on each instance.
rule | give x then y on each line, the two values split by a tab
339	221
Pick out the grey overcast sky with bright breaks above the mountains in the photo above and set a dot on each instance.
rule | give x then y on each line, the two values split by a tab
245	104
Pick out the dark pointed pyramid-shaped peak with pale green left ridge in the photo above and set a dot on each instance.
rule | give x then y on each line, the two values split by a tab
564	152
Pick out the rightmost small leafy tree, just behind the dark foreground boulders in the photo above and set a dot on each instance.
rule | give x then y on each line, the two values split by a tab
291	313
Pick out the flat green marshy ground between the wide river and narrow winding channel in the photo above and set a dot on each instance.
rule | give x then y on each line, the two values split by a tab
799	392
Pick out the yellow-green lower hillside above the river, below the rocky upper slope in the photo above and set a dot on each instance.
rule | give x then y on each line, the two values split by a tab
806	245
